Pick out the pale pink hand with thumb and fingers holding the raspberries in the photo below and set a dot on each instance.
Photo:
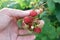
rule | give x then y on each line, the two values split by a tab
8	27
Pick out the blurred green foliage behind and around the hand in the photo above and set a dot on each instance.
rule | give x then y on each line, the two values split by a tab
51	15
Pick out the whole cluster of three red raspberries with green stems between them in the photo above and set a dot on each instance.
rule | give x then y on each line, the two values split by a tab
31	21
